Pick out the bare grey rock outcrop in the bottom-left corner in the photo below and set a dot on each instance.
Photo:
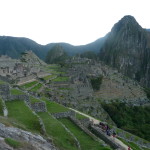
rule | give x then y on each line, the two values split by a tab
34	142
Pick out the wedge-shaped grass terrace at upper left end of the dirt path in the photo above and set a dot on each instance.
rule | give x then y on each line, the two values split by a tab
53	107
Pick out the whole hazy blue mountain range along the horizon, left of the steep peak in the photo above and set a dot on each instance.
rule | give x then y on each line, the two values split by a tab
14	46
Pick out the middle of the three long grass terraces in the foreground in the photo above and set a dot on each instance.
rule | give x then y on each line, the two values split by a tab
60	136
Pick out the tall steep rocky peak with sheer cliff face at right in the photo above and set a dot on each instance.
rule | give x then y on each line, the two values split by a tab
127	48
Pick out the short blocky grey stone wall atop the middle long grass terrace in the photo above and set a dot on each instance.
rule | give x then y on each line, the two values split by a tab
39	107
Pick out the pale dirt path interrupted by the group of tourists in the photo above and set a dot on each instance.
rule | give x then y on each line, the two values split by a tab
95	121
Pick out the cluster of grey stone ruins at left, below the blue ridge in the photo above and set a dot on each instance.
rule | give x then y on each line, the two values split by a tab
21	70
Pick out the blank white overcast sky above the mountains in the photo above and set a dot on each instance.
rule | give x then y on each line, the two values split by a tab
77	22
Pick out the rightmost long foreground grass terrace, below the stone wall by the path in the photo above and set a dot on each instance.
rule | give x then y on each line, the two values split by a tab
86	142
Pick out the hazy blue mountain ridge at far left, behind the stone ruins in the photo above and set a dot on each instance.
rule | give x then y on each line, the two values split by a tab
14	46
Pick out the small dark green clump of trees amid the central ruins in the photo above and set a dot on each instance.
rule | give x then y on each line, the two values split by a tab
96	82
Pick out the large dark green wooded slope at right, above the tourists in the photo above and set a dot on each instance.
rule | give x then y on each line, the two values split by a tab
134	119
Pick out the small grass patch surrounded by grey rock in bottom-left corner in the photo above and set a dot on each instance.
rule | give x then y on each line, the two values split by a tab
13	143
